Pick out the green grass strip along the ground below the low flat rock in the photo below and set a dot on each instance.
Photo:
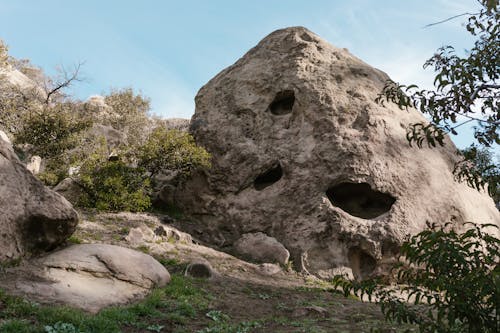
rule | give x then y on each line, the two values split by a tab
177	303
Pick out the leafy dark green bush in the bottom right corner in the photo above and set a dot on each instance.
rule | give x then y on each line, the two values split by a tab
451	279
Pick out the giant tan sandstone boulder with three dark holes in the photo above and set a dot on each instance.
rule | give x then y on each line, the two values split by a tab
302	152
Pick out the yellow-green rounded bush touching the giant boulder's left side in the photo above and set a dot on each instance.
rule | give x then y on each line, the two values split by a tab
172	150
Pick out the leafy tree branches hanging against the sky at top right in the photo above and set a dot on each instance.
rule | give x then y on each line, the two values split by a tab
466	87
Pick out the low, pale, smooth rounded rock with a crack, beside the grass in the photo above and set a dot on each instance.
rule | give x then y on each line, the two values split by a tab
90	276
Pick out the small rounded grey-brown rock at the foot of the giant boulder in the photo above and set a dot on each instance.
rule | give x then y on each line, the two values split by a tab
261	248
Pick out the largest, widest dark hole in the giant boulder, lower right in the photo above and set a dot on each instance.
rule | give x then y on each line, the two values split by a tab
358	199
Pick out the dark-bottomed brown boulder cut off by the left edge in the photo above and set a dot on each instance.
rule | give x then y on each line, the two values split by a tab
33	218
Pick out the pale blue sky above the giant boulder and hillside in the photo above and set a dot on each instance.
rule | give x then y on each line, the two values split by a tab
169	49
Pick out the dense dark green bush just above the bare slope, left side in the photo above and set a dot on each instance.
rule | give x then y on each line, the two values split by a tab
112	185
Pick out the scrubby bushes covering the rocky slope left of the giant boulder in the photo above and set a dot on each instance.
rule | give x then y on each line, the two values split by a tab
116	176
